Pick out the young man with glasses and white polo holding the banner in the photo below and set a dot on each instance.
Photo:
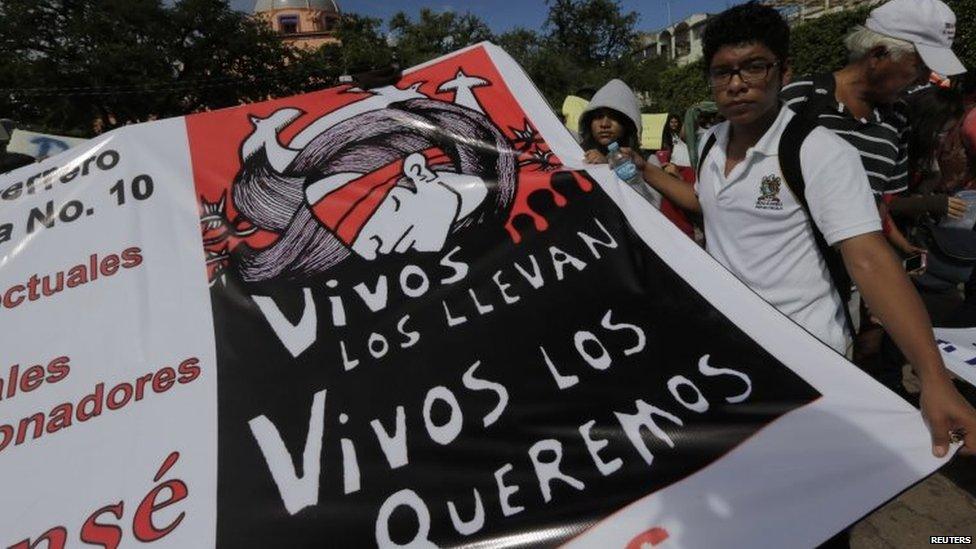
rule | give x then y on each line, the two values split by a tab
759	231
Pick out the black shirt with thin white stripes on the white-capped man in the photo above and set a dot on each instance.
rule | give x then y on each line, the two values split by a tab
882	138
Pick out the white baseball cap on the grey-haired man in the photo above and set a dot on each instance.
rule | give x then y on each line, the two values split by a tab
928	24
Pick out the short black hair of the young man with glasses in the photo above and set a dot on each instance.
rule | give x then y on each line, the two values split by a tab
749	23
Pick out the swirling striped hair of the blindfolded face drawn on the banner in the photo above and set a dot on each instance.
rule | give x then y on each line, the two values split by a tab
275	202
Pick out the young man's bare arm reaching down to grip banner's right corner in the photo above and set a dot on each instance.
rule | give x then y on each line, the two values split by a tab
891	297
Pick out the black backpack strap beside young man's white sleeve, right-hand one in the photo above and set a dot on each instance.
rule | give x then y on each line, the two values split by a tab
796	132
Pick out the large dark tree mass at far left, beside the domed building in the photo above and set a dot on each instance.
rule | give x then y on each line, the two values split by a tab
66	65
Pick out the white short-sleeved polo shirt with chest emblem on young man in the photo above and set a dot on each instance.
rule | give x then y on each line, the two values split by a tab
756	228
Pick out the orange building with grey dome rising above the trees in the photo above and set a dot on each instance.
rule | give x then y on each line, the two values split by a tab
307	24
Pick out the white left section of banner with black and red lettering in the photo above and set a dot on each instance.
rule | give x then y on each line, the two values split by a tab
108	381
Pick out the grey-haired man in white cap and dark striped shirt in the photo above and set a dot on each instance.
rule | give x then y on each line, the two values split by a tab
899	45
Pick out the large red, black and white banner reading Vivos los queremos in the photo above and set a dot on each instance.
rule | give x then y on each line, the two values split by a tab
404	317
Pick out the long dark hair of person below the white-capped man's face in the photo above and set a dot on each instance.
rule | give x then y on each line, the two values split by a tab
929	110
